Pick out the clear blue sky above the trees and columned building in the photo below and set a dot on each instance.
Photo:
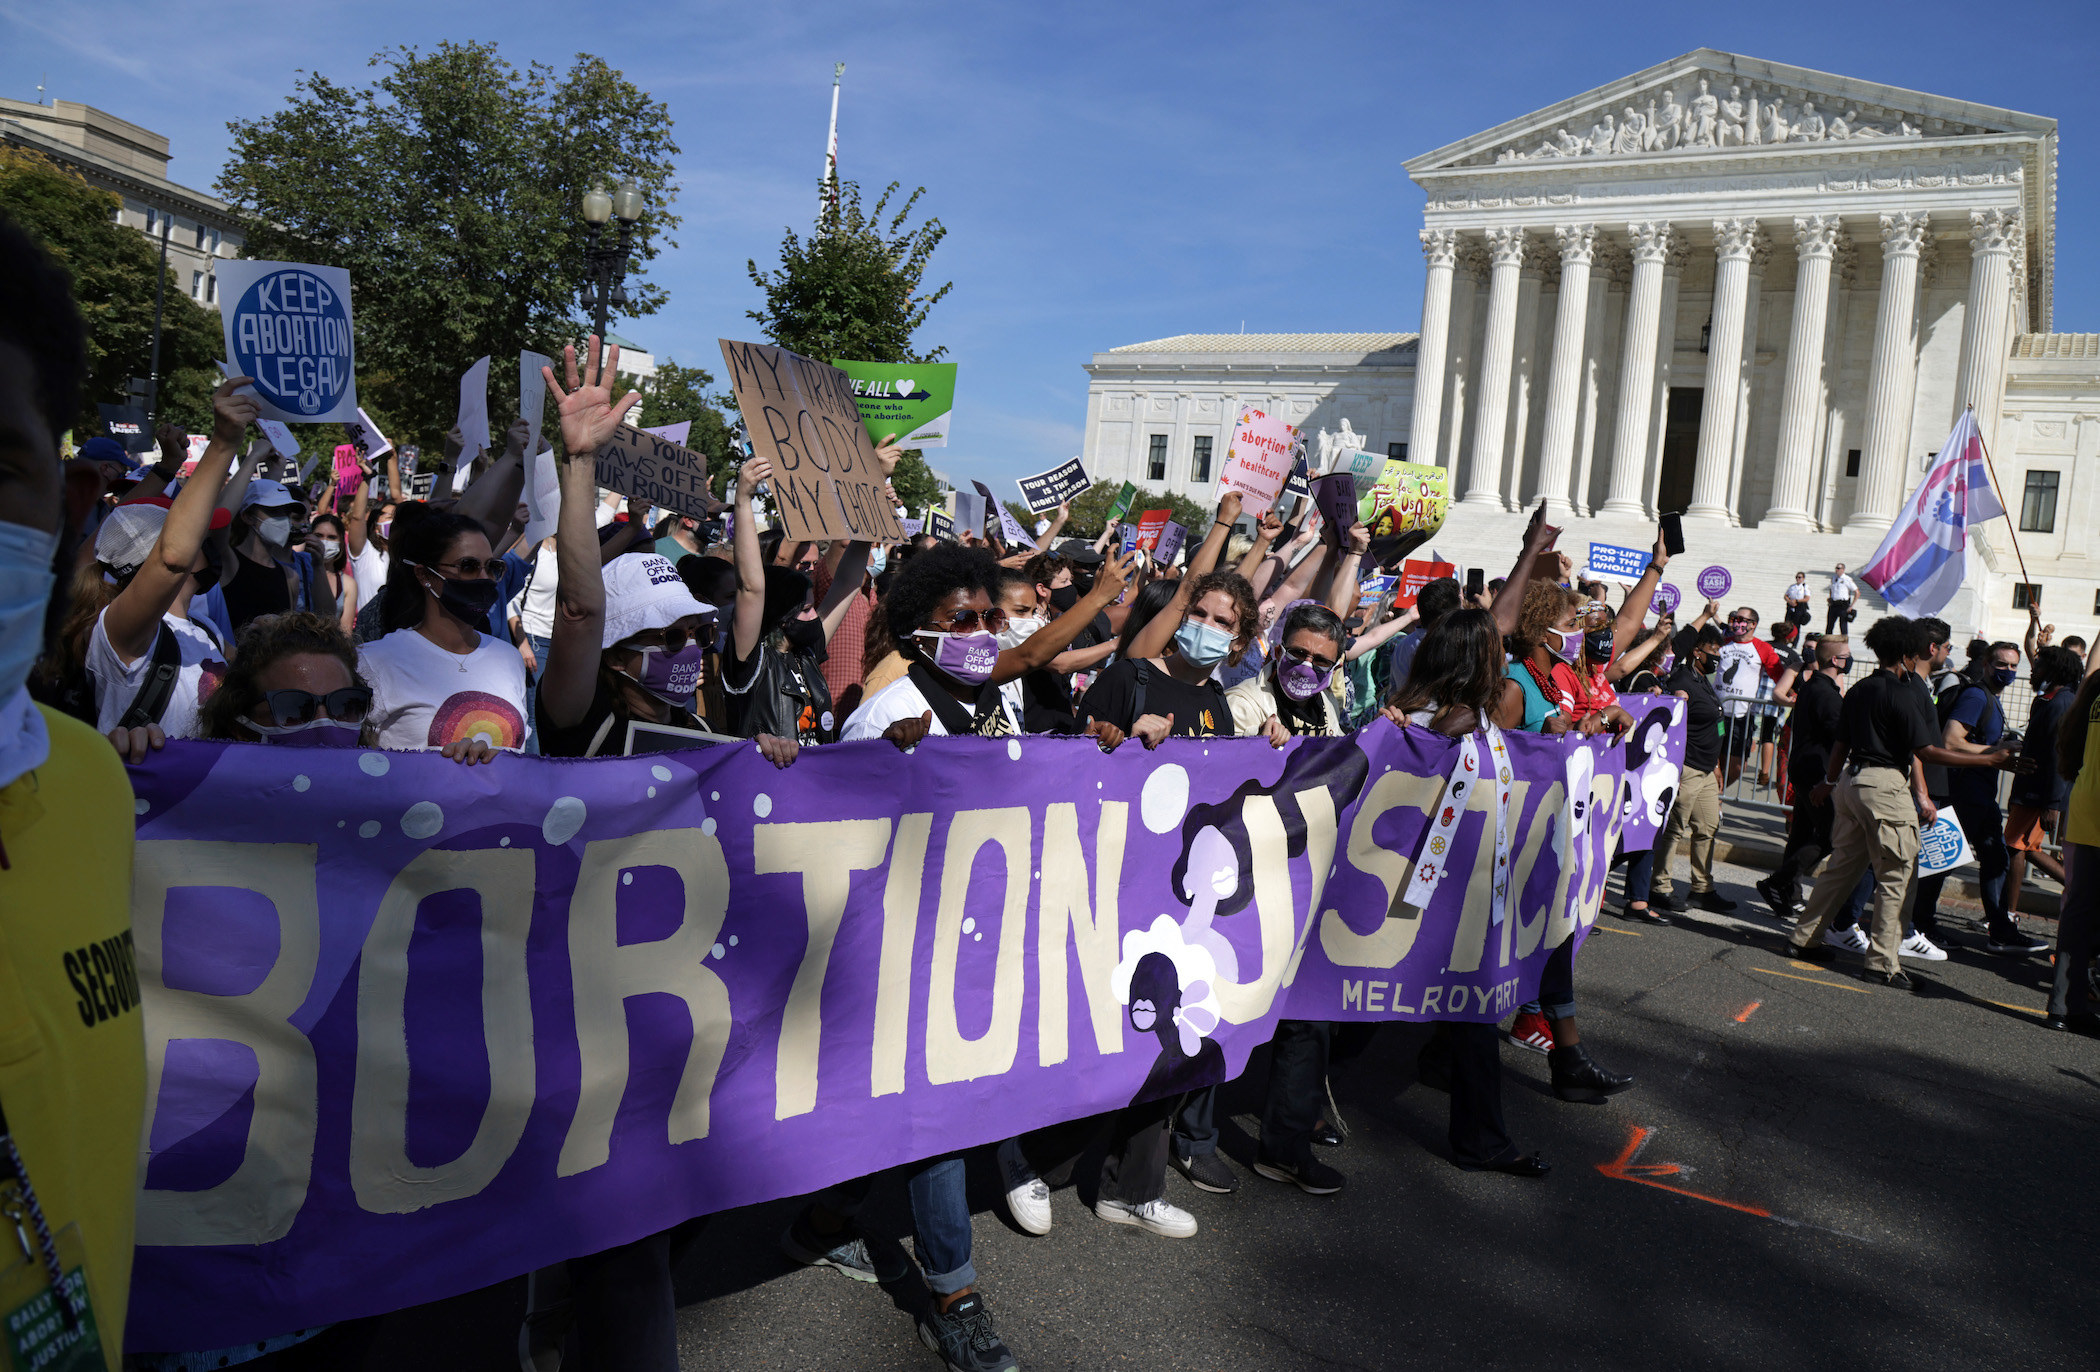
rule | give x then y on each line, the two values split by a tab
1108	173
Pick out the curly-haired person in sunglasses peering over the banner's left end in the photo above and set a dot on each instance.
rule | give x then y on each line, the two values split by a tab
293	684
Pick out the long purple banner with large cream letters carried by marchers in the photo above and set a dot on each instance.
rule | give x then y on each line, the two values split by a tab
419	1028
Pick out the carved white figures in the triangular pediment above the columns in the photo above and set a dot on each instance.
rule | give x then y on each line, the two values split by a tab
1742	117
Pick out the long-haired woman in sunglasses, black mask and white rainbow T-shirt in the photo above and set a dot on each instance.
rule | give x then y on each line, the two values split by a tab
440	680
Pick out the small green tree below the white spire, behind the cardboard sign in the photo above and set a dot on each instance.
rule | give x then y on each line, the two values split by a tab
854	287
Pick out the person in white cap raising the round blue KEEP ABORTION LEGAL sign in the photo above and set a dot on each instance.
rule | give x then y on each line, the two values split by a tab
135	659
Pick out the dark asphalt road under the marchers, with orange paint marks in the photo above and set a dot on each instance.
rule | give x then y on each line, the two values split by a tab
1809	1173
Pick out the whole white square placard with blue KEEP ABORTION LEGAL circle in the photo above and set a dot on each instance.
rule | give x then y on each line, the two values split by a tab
291	329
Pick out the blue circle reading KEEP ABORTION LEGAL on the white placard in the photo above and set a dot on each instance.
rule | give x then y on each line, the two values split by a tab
293	335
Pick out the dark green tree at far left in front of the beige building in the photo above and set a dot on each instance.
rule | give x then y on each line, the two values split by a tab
112	270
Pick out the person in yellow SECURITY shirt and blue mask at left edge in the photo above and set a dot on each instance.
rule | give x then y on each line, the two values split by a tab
72	1087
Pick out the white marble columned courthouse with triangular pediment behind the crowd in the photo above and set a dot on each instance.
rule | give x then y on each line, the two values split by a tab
1725	287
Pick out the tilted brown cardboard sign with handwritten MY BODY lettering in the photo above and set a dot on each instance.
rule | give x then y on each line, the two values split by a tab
803	419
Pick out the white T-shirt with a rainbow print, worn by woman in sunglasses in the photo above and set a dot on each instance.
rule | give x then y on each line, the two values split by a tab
425	697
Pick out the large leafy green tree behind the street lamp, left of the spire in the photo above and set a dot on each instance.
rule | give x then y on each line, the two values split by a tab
450	188
